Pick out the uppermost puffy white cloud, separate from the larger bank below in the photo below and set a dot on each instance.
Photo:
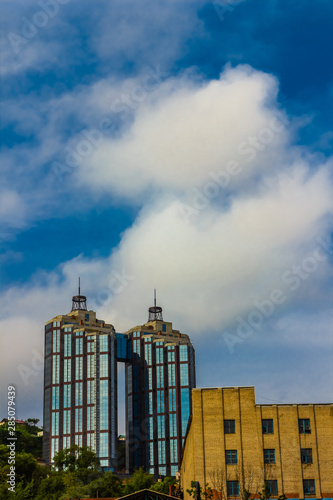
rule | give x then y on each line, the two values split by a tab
186	129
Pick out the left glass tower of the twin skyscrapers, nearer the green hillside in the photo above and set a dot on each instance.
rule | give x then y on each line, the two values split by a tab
80	384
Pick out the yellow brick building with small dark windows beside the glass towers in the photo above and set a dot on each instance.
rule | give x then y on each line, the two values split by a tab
233	444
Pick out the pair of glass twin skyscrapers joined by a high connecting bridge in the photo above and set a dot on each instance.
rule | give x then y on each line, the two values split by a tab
80	388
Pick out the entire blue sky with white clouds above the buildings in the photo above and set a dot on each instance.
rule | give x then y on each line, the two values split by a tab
183	145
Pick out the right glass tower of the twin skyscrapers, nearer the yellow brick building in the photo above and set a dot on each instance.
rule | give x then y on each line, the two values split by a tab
159	379
